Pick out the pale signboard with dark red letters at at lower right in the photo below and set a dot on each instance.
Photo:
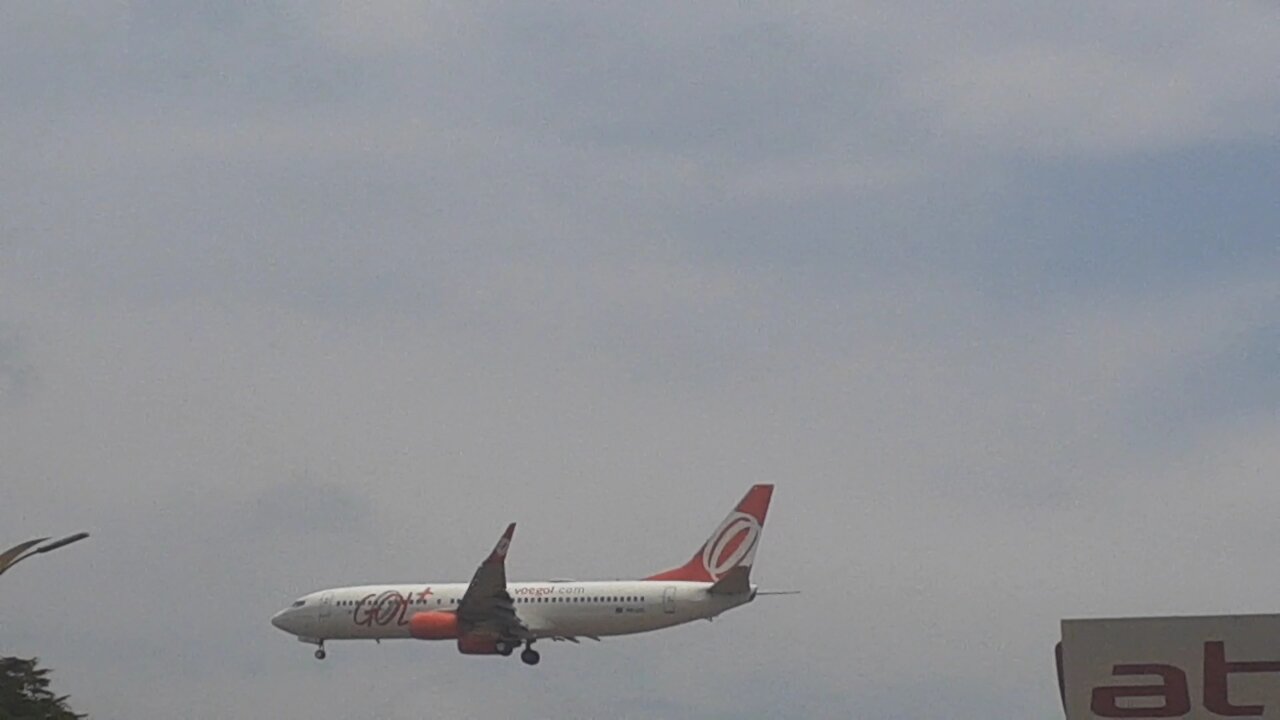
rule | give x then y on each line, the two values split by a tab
1192	668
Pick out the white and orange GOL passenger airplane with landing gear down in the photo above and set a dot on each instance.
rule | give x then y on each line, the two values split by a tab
493	617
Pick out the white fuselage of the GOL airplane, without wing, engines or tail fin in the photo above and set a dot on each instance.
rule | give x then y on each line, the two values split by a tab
550	609
